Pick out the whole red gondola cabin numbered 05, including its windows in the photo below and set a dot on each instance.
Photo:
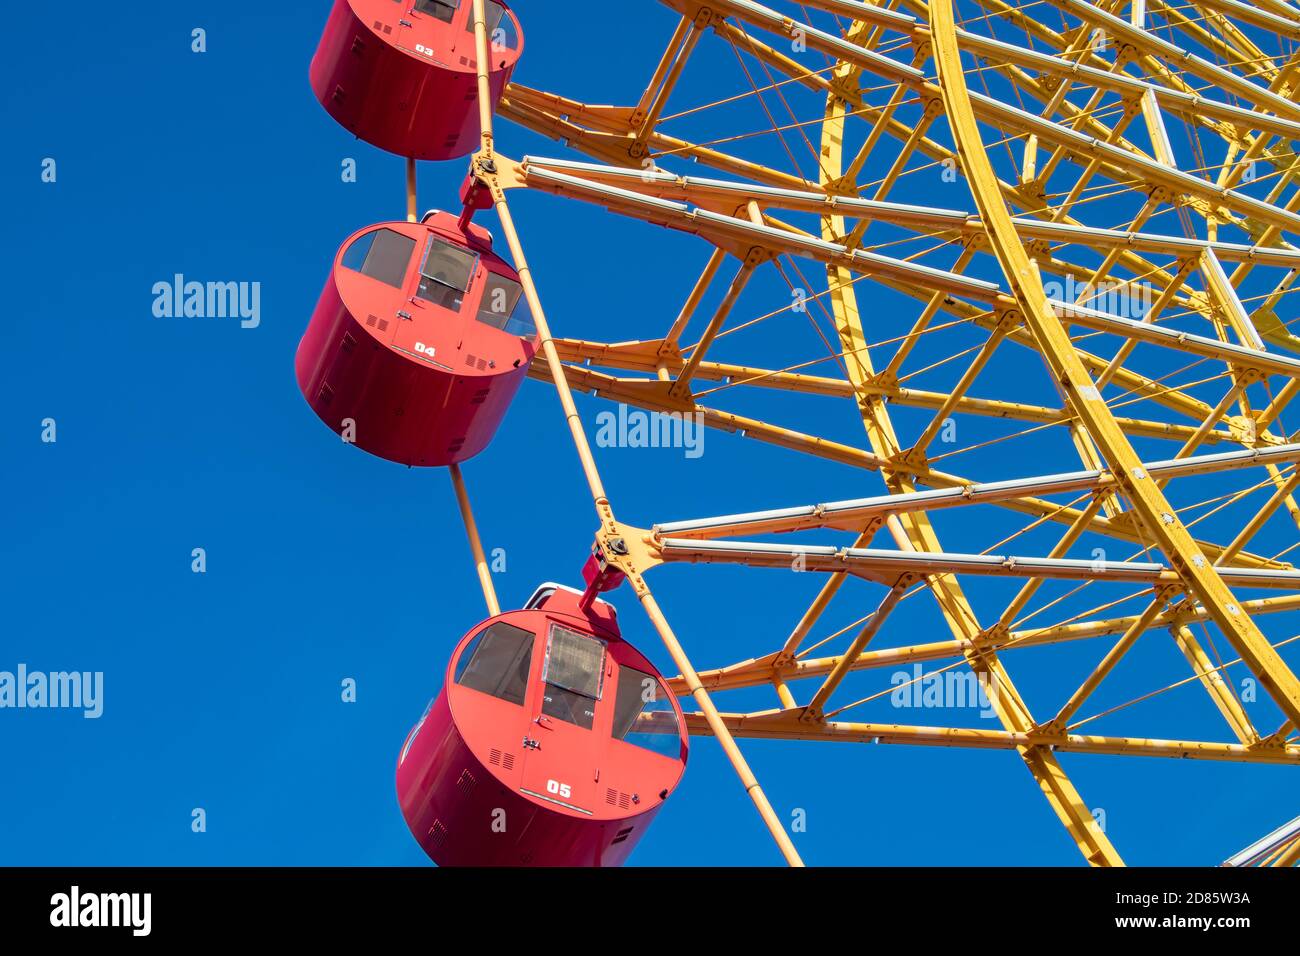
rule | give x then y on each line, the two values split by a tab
553	743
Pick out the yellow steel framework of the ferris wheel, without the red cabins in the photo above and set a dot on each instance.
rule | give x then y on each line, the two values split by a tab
1236	93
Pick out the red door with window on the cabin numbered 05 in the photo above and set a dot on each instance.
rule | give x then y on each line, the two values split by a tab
562	754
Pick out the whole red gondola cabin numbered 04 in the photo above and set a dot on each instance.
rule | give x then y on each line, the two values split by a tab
419	341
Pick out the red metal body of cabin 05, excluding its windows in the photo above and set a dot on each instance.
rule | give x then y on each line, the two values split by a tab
463	777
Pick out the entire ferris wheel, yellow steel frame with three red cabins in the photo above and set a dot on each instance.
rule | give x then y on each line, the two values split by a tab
1093	325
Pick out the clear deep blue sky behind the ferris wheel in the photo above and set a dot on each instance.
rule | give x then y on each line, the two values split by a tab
223	691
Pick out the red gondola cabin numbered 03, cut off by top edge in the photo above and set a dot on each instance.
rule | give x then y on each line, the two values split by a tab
404	75
